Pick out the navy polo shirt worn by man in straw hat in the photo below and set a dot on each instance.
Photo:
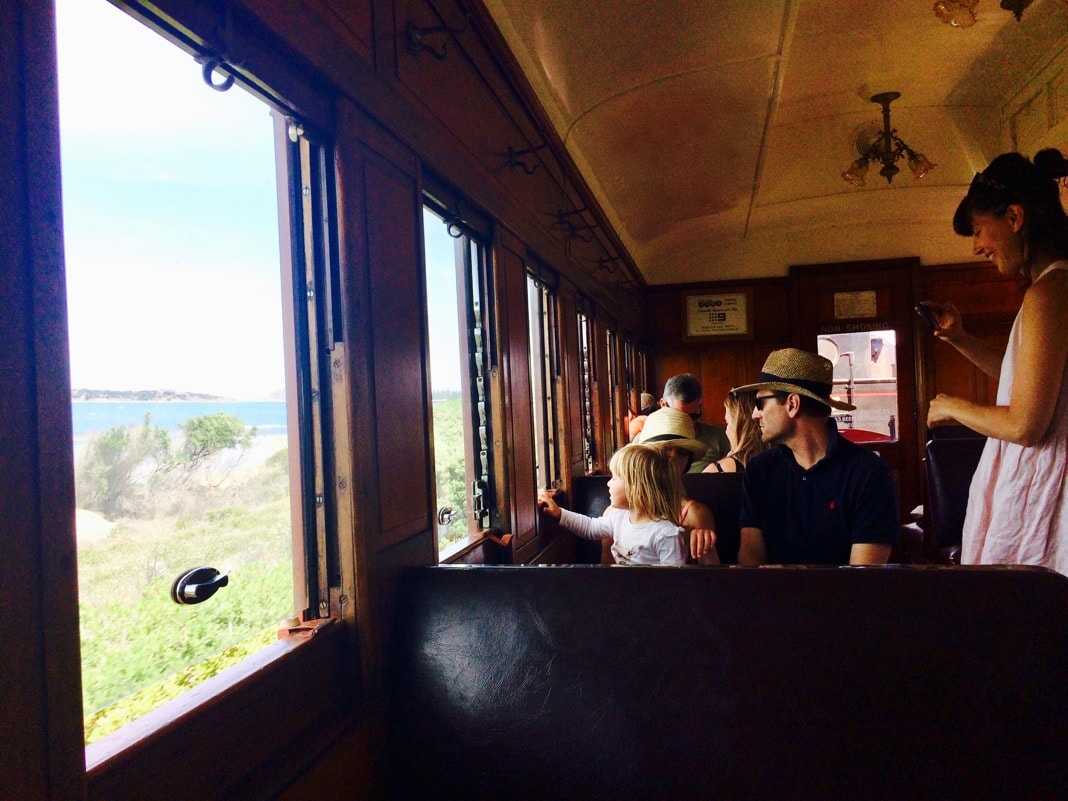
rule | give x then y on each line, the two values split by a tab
814	517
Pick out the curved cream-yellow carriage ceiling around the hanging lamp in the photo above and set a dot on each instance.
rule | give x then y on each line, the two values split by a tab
715	135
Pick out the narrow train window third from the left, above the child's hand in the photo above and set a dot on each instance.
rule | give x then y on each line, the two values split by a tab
545	370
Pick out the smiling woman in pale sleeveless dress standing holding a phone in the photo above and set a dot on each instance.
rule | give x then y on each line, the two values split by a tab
1018	506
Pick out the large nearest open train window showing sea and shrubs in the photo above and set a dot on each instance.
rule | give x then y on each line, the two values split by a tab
195	339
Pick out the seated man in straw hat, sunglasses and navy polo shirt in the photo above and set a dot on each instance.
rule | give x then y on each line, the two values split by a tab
818	498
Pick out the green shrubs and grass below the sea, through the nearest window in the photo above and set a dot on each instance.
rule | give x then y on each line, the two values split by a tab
164	506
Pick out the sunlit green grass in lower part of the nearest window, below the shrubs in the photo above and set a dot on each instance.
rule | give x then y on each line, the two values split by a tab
139	649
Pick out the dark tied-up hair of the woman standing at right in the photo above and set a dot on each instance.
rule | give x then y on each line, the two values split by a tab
1012	179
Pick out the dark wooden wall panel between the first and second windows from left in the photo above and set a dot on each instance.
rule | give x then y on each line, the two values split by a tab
382	277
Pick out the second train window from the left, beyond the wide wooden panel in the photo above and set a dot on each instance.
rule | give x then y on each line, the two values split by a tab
462	353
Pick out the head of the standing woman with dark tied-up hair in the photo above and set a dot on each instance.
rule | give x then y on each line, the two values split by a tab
1025	196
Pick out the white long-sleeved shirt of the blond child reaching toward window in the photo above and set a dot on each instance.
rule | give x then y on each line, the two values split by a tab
655	543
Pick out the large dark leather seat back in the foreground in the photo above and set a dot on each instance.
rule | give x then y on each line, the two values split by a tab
733	683
